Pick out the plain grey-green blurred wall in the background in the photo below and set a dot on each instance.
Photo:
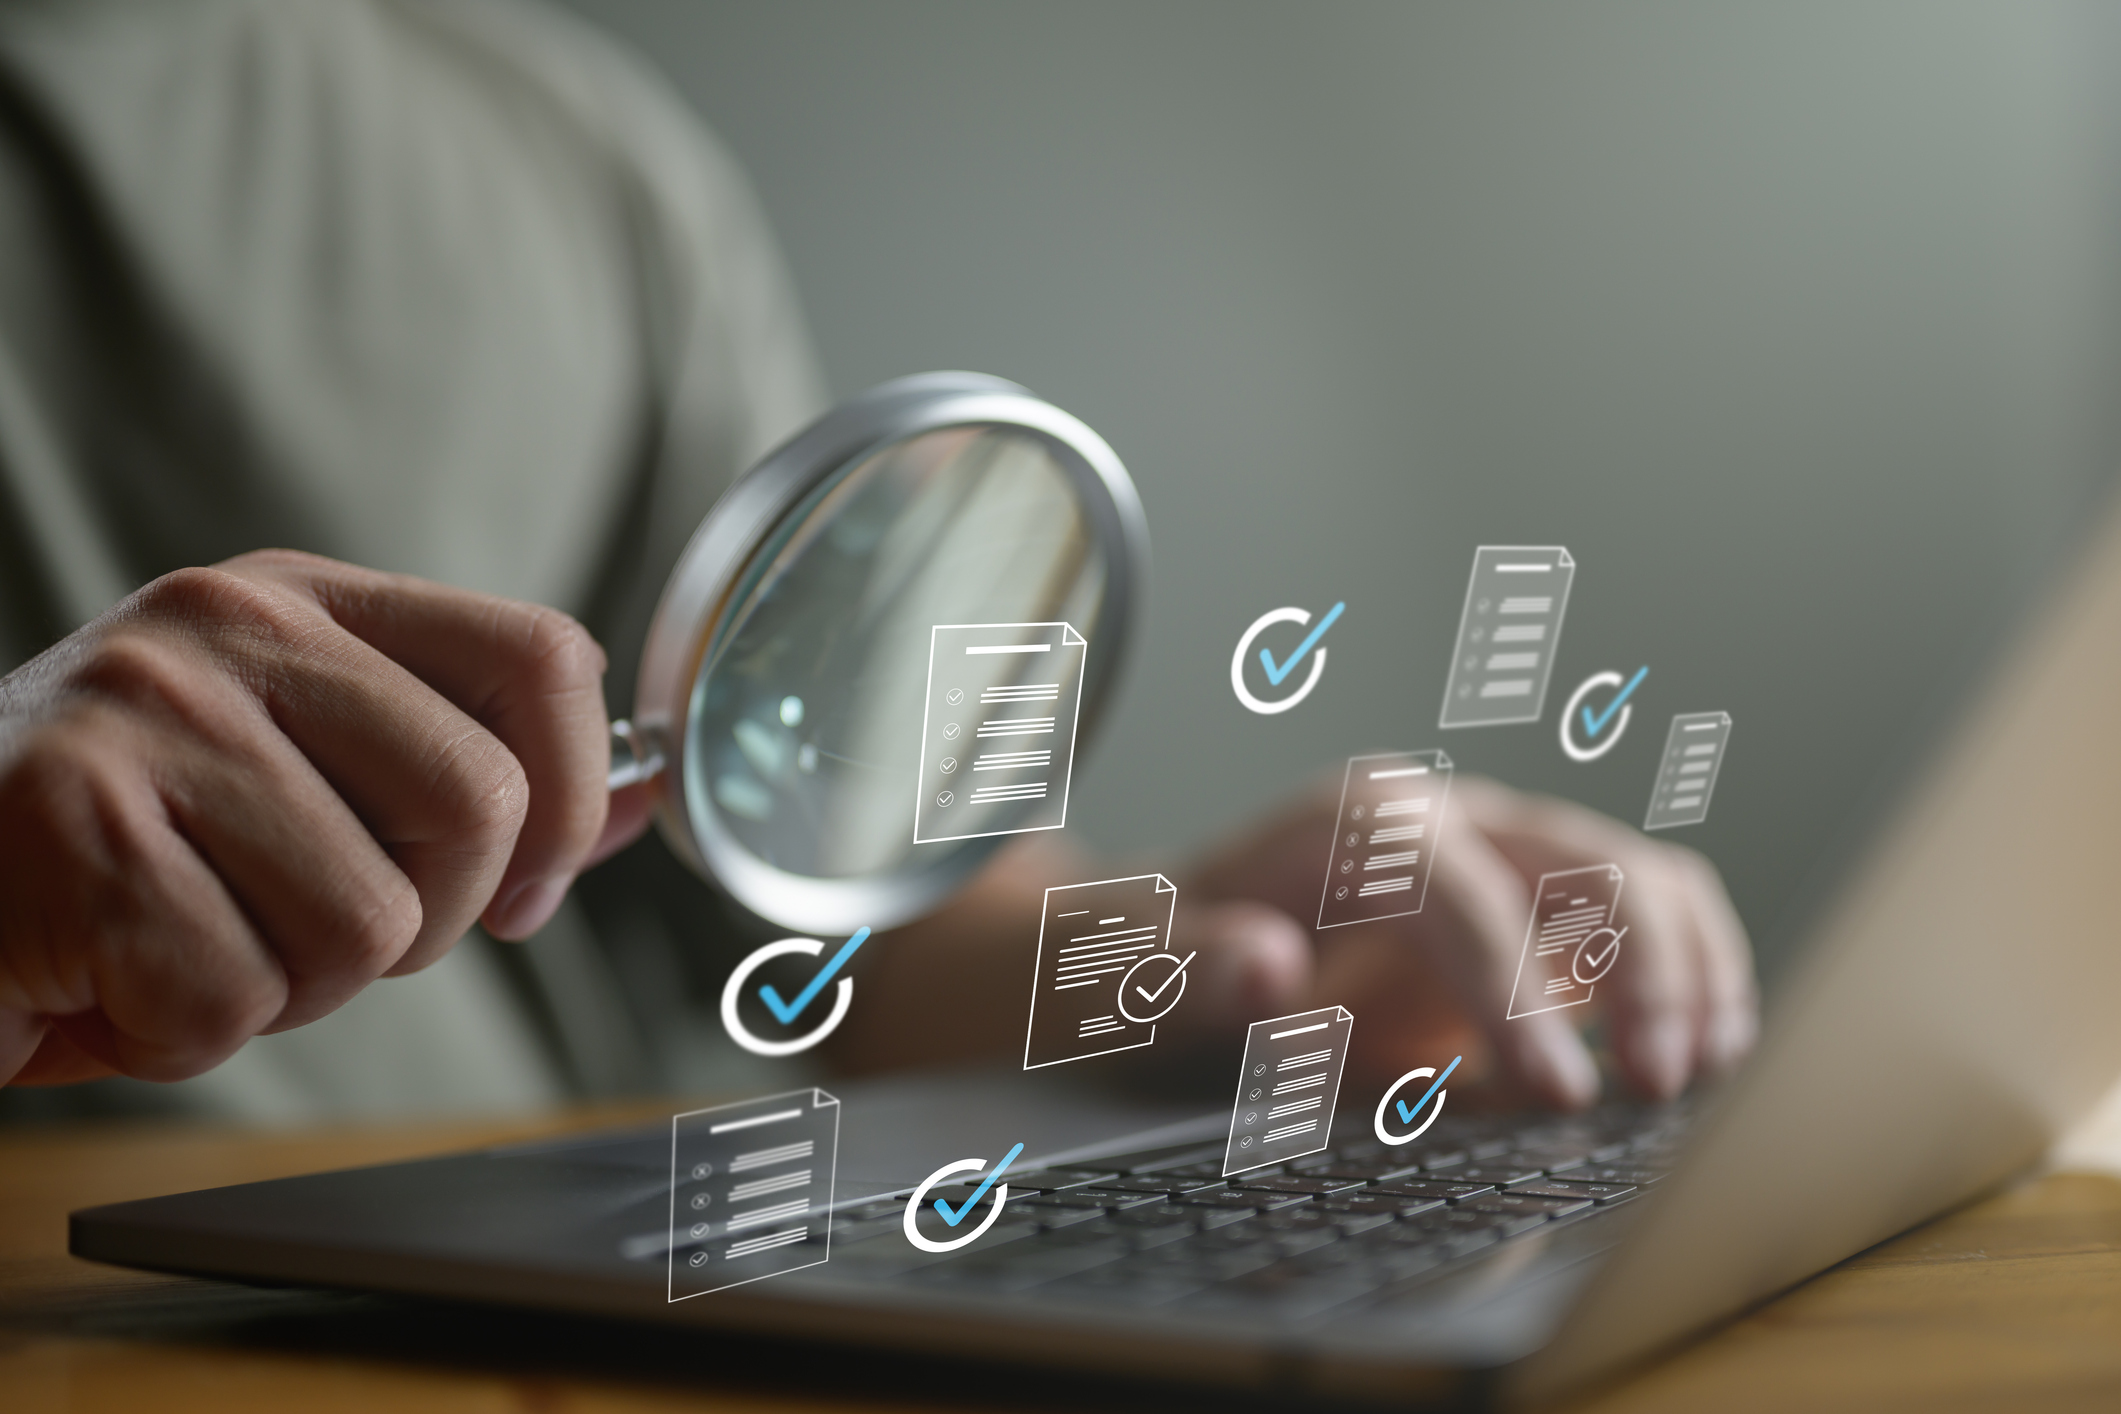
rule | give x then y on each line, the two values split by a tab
1795	323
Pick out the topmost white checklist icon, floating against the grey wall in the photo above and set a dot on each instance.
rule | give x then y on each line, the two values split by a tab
1507	635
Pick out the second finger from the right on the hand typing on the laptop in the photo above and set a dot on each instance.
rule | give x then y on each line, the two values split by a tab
1653	995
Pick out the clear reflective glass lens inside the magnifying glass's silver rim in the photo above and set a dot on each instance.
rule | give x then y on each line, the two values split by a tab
807	711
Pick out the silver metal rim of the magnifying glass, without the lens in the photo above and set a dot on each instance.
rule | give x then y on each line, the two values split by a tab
712	571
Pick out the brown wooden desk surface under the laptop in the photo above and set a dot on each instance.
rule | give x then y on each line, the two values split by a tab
2012	1305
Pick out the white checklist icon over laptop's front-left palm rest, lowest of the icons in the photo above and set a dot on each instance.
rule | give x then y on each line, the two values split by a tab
752	1190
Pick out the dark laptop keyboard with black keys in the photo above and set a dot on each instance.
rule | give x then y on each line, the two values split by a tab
1356	1222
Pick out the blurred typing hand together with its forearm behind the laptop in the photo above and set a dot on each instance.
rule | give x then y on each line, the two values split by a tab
1681	1000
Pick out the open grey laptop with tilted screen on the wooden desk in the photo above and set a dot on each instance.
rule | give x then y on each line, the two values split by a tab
1957	1008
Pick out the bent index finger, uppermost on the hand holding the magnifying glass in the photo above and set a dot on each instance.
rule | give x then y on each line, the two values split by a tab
529	675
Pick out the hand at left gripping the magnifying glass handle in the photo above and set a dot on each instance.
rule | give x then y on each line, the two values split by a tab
251	790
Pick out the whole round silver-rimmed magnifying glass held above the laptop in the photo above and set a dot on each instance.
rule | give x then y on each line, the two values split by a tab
786	673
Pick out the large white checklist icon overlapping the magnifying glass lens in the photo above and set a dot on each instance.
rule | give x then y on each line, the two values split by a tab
998	737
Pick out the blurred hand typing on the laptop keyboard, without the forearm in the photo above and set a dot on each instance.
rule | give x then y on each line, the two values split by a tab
1681	1000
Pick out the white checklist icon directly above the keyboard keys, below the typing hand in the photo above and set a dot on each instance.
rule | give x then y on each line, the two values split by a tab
1289	1089
